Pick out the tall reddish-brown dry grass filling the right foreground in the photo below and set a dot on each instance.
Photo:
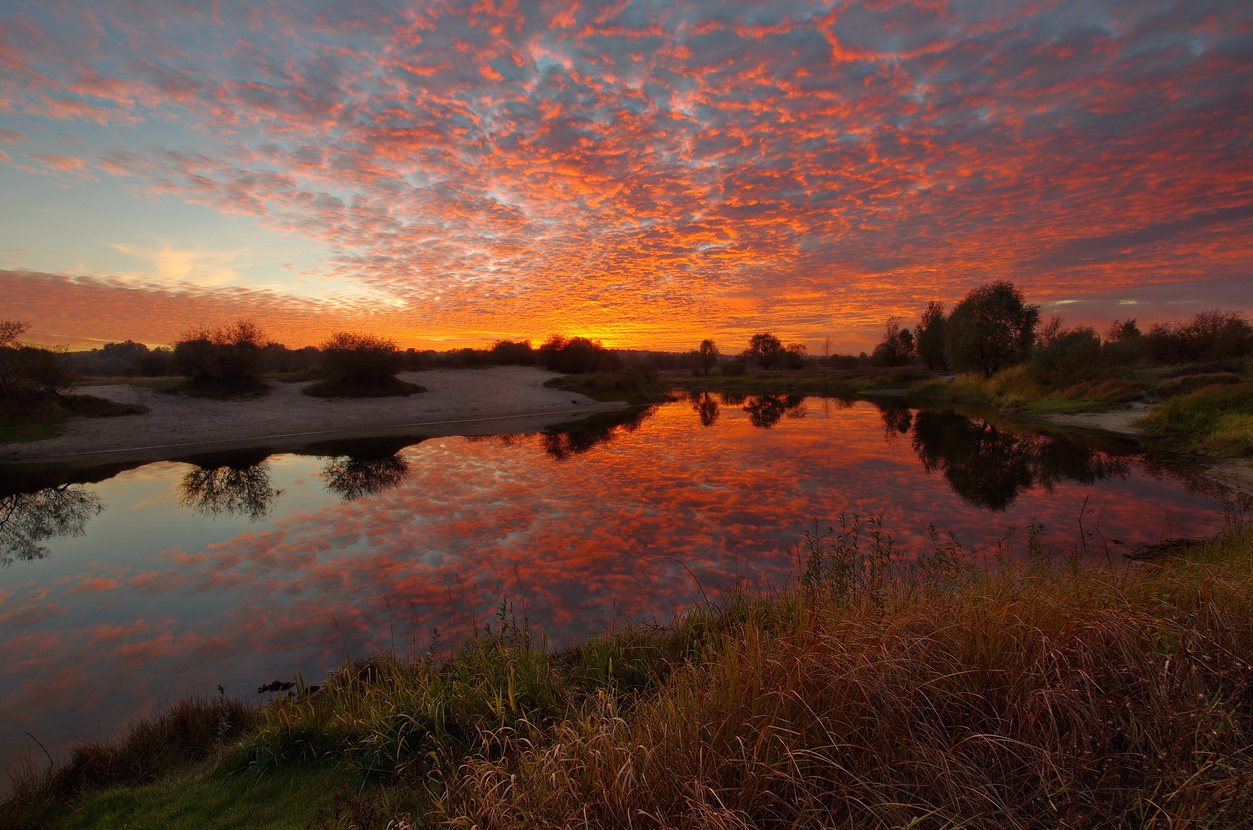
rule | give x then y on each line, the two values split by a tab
1083	700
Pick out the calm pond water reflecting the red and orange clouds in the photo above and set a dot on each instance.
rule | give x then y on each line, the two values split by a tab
174	579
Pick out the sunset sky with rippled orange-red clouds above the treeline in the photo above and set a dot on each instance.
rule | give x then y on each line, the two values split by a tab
643	174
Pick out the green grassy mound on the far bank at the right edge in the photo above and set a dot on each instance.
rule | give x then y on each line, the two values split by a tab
1214	421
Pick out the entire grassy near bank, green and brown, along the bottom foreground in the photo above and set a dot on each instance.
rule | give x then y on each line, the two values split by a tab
881	690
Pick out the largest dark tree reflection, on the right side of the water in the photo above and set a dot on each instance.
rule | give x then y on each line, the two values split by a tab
989	467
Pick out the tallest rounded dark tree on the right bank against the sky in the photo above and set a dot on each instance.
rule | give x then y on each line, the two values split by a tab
990	330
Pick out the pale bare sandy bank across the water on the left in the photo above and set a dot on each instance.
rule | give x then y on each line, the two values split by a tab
459	402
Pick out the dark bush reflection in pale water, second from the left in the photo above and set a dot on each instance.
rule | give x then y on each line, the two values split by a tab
230	486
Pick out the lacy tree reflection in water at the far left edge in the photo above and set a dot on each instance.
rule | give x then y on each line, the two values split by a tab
29	518
